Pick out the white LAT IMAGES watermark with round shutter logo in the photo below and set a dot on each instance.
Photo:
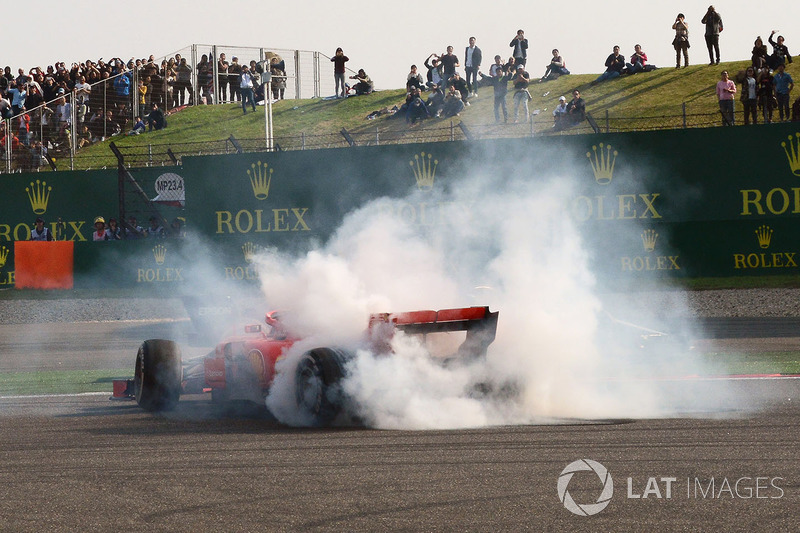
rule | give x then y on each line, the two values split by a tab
662	487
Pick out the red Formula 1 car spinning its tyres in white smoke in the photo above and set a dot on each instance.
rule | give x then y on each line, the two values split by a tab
242	366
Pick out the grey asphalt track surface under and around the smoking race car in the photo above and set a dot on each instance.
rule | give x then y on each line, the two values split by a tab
82	463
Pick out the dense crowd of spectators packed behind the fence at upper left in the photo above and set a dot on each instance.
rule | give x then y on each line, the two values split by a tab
106	98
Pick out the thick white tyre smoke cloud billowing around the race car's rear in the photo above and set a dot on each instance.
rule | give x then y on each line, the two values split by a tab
547	362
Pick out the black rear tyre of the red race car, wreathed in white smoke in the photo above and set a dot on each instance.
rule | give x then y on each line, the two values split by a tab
318	385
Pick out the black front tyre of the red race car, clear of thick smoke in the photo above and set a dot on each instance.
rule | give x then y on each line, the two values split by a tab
157	379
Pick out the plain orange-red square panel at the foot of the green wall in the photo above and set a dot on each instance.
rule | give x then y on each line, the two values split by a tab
43	264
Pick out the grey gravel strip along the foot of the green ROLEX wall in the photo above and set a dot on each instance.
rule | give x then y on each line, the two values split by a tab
709	303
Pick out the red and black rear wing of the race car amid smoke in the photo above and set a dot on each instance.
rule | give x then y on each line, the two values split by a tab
479	322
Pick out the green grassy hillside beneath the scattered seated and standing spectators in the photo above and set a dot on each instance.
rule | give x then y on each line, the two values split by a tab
664	98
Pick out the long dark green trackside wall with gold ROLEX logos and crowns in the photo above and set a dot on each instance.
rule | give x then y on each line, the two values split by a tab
701	202
